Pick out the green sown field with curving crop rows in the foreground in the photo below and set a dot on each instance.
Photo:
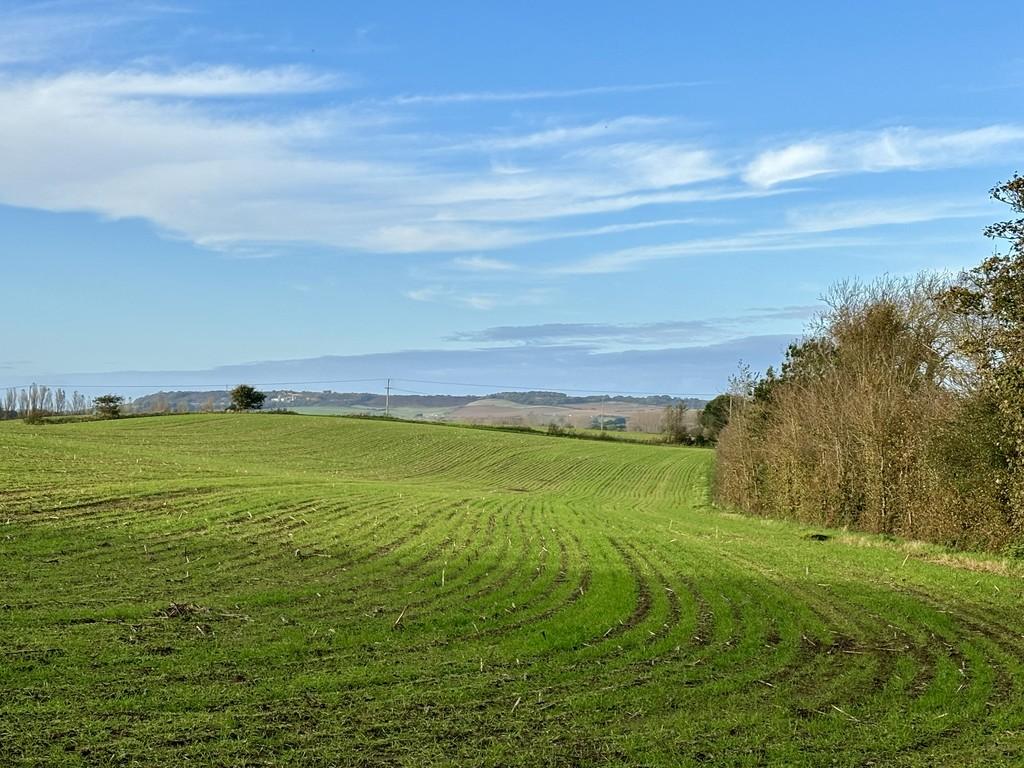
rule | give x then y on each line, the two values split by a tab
272	590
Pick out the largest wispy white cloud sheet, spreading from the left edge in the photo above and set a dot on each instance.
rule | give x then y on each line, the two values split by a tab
161	147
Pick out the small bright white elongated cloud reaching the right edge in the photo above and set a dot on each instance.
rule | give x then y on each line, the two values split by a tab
892	149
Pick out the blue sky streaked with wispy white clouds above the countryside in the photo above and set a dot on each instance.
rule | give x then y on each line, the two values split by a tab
458	195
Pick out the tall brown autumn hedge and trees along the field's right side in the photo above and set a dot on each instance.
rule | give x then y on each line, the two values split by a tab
902	411
